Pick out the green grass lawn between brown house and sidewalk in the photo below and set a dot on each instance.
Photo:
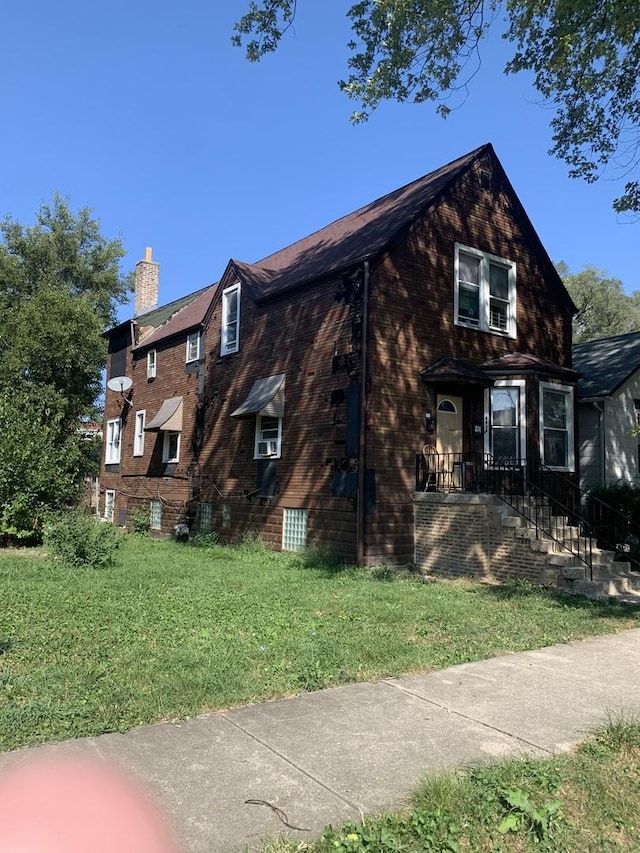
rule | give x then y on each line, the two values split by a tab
172	630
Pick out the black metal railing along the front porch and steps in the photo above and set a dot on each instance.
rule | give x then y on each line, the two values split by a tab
553	505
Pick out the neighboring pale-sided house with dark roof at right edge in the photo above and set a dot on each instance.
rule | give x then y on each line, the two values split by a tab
609	410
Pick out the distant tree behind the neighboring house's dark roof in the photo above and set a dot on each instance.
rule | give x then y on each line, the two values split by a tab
603	307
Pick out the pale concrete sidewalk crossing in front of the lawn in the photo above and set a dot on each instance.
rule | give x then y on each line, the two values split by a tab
328	756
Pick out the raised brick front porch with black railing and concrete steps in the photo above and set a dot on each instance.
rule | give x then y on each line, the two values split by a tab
510	517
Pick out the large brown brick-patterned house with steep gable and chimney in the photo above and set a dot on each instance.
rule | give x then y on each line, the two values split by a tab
292	397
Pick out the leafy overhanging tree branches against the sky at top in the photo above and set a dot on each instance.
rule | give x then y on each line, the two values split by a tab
584	56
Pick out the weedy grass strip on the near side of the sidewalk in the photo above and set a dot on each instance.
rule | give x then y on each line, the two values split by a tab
584	802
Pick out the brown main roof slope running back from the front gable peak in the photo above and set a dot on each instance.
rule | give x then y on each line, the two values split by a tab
353	237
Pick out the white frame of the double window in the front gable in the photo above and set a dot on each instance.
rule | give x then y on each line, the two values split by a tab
484	321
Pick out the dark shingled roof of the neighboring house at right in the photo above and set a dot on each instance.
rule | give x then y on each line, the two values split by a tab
606	364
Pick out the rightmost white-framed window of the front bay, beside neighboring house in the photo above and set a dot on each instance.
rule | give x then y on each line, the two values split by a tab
556	426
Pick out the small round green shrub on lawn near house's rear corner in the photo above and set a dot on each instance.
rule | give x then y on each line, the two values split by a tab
79	539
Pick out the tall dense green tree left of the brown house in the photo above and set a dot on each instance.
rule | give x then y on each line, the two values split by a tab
60	283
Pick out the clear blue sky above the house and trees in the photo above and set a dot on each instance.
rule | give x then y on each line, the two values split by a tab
145	113
